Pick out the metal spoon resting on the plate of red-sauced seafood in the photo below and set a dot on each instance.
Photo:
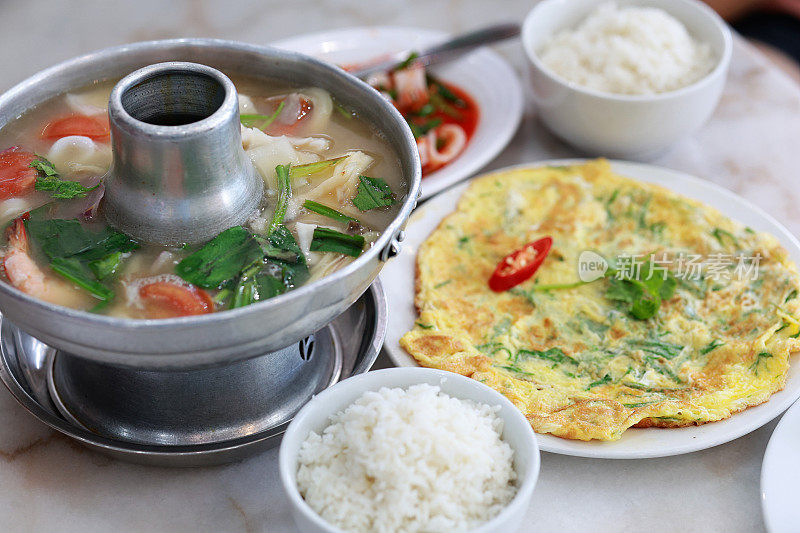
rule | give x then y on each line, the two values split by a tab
445	51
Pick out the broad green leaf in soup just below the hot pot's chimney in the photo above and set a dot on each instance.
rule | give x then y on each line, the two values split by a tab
221	260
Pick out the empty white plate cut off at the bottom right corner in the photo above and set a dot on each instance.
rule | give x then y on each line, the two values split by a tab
779	474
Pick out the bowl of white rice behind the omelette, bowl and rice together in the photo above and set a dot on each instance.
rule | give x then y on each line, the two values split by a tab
625	78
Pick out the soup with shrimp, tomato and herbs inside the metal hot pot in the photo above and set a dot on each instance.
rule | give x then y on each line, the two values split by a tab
330	190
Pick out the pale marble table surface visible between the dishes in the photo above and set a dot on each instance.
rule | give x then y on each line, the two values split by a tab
48	483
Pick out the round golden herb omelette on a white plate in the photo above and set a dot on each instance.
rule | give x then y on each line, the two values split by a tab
691	318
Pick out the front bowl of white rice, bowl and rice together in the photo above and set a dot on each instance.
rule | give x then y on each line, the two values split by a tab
411	450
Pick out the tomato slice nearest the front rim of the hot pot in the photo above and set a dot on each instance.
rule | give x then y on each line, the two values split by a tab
167	300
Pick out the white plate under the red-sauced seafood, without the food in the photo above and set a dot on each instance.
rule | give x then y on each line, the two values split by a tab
486	76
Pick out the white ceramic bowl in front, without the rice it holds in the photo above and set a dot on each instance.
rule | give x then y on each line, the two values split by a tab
315	416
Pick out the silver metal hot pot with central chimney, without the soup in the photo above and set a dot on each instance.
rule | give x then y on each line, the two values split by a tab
202	389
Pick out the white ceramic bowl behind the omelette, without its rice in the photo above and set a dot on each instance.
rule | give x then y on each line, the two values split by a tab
624	126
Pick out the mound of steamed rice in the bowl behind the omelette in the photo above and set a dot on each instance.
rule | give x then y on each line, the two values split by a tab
630	50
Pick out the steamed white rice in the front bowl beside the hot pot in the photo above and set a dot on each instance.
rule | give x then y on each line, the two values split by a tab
408	460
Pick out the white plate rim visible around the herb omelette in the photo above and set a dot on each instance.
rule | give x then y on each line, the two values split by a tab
636	443
